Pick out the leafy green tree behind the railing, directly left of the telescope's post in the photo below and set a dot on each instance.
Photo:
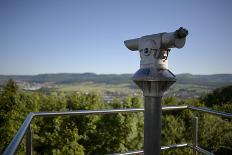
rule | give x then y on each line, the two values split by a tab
120	132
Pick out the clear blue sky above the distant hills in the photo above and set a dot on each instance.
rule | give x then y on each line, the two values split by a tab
77	36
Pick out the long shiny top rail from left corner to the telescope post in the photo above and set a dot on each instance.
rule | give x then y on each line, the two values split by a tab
87	112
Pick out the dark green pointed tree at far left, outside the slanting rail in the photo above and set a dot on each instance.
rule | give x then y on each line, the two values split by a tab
14	106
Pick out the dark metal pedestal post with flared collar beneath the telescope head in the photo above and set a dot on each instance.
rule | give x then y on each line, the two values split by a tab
153	83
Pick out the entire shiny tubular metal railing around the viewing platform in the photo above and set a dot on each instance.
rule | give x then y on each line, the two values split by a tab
25	128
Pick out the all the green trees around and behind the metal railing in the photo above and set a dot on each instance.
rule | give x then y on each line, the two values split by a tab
102	134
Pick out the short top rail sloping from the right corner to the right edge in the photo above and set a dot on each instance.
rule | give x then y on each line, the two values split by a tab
210	111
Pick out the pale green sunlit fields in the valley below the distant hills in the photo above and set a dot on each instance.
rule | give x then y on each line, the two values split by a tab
178	90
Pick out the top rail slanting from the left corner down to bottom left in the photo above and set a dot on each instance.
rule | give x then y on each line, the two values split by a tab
13	146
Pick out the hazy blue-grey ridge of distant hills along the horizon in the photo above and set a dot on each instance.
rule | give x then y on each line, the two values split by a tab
215	80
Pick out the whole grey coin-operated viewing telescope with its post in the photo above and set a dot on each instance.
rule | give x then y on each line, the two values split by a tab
154	78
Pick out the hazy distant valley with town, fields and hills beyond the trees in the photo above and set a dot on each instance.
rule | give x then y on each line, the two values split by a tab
116	86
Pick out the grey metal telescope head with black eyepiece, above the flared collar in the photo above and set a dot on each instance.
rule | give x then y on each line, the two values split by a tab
154	49
